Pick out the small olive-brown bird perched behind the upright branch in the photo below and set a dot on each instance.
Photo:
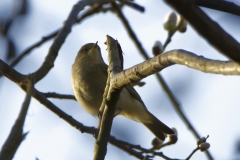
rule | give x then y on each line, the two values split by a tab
89	76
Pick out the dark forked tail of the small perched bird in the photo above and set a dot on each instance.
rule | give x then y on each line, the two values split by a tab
157	127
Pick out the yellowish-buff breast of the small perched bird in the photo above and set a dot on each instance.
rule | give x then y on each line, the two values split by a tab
89	85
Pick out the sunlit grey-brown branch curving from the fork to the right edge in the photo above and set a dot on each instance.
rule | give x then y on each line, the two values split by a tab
182	57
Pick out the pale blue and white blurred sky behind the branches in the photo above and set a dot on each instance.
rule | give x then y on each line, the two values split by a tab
210	101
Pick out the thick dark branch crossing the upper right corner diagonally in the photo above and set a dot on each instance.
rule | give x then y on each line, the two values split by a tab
207	28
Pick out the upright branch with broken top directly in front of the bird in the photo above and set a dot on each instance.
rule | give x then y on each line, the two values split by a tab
100	147
